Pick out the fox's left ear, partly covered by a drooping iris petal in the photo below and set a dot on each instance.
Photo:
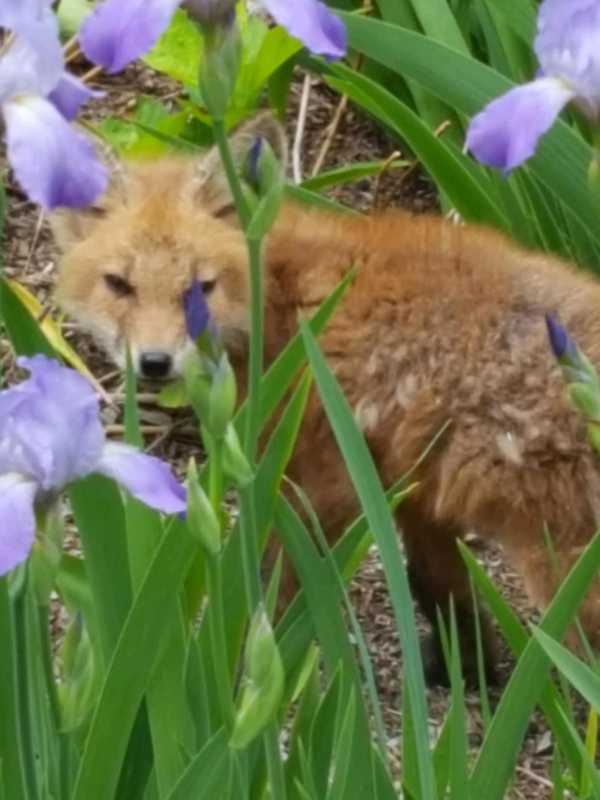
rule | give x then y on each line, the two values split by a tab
72	225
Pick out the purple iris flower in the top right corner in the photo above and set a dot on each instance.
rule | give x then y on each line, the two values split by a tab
507	131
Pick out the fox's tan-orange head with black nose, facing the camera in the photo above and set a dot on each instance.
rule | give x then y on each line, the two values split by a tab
127	262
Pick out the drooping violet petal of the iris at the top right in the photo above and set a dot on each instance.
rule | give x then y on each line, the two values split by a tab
506	132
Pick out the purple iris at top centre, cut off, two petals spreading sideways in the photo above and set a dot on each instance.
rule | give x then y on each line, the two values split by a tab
119	31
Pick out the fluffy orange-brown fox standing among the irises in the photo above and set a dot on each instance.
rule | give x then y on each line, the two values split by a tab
442	329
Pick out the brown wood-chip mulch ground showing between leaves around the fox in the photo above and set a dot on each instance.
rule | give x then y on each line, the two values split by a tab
31	258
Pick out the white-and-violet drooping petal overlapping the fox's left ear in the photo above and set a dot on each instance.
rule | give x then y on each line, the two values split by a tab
65	170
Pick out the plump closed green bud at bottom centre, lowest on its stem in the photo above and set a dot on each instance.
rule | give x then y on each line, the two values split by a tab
264	676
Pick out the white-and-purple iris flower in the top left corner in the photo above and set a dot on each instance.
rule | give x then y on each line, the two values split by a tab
54	164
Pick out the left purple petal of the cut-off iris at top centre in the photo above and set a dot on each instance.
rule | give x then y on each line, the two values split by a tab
117	33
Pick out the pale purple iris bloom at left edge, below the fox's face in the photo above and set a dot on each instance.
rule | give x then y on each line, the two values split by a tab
50	435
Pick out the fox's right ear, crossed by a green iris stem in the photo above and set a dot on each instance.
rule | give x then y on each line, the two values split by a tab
211	180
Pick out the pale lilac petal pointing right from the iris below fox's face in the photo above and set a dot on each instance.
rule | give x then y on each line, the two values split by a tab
147	478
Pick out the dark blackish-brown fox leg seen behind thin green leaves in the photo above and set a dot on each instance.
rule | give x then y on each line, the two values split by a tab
436	573
